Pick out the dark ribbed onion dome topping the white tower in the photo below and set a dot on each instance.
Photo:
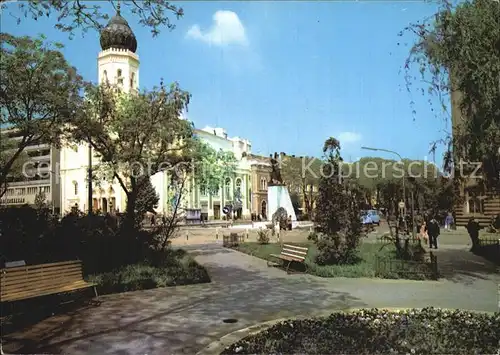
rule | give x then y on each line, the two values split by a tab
118	34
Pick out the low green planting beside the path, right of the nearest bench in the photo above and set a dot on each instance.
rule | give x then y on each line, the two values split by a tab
176	268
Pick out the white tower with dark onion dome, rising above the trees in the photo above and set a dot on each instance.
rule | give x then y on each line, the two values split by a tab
117	62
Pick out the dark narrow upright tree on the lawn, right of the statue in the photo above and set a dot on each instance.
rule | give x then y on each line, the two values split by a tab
338	213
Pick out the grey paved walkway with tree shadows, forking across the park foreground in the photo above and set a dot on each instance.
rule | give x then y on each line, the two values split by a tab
180	320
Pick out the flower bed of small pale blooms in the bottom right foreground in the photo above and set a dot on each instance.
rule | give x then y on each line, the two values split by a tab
373	331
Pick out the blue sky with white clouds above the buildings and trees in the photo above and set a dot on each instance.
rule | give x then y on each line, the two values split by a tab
285	75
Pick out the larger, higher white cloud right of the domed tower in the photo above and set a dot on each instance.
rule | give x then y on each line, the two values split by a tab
226	29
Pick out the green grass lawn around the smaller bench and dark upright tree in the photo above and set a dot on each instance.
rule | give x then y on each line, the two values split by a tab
365	268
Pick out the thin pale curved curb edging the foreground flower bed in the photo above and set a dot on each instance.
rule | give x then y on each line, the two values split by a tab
218	346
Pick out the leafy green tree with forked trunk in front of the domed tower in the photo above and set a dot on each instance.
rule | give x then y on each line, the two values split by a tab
136	135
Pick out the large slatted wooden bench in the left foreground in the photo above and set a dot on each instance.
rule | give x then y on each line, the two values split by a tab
24	282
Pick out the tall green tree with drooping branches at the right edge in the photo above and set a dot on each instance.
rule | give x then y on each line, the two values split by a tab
457	52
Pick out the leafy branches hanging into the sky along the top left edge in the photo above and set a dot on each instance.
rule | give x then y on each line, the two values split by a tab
75	15
